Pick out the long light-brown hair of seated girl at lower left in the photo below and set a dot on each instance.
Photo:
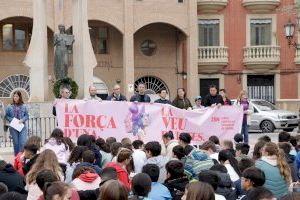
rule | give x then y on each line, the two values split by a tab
46	160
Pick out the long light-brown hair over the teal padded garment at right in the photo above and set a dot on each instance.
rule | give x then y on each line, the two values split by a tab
272	149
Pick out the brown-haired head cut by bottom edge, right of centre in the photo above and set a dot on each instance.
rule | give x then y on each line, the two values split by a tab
200	190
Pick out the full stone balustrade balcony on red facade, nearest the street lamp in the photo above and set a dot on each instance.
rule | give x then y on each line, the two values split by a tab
261	58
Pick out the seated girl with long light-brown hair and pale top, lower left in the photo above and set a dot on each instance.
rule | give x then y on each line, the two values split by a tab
46	160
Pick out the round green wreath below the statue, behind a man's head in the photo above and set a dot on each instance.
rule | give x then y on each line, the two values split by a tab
68	83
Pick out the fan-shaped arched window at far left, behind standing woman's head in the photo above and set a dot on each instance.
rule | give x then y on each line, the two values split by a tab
11	83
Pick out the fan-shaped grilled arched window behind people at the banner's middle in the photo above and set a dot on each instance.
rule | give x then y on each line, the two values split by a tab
153	86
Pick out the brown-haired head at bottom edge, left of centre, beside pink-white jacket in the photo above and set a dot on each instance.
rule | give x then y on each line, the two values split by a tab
113	190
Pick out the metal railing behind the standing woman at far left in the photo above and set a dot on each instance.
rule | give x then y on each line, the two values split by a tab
38	126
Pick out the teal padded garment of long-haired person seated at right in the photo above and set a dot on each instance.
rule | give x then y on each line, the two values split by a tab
274	180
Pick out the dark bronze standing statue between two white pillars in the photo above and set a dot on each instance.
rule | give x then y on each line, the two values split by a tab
63	43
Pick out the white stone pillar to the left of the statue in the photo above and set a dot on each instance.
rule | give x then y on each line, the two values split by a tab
37	54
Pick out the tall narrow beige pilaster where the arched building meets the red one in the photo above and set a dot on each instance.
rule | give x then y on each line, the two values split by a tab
192	46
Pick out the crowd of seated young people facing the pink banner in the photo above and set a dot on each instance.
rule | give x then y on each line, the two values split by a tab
107	169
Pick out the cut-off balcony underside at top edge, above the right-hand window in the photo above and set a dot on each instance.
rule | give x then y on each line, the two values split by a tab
261	6
